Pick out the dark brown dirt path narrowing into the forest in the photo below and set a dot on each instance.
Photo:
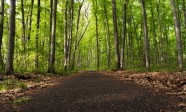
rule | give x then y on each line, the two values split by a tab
93	91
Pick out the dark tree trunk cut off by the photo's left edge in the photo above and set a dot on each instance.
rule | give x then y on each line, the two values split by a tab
1	31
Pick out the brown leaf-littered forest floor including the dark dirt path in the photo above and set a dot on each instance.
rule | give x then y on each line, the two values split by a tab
100	91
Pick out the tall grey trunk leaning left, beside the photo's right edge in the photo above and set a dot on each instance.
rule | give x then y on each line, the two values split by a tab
178	36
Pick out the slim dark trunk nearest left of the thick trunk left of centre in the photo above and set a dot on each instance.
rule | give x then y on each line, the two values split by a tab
37	35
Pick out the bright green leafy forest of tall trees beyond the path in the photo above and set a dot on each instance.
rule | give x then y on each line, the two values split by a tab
67	35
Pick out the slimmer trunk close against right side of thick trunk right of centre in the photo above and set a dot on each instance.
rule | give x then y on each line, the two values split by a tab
124	34
